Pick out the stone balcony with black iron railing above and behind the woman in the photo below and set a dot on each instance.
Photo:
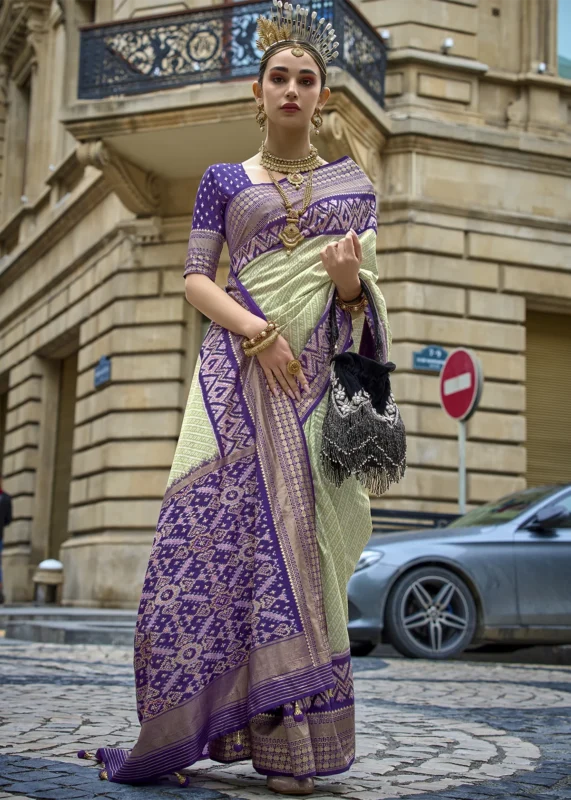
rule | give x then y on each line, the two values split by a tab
160	98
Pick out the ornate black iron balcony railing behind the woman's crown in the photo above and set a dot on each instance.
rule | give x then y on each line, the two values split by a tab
210	44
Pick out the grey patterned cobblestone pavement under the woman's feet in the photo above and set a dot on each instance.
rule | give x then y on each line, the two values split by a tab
432	731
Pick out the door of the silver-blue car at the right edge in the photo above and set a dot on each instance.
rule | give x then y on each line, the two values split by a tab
543	569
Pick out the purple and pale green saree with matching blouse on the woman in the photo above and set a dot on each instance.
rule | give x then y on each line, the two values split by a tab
241	645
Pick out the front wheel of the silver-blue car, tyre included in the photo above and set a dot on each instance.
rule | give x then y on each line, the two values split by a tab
430	614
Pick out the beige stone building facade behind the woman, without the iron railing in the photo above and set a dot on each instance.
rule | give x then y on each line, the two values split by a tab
471	158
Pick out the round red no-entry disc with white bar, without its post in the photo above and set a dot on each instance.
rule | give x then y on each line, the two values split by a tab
461	381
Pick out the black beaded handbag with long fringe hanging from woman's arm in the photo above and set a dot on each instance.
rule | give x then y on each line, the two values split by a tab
363	432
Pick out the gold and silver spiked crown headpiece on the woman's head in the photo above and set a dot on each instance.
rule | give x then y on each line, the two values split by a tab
297	27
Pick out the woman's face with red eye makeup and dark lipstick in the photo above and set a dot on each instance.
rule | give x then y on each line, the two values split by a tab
291	90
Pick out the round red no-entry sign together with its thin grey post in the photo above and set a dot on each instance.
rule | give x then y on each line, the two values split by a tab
461	383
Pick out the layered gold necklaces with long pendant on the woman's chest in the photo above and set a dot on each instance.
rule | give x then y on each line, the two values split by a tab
291	235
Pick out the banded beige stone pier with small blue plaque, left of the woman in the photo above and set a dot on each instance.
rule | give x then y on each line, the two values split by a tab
126	431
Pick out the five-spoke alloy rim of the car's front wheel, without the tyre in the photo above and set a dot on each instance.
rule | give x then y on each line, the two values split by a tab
434	614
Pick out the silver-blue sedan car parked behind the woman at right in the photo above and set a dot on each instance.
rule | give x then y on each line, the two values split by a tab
501	573
